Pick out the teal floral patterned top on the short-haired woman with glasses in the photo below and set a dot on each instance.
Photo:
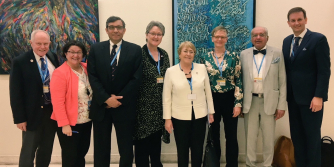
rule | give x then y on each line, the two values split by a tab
231	73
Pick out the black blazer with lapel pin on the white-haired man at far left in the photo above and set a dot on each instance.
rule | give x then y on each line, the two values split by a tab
26	89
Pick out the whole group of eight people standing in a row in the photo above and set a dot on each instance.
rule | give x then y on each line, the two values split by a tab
137	91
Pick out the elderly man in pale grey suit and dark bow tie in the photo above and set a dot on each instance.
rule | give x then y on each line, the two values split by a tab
264	81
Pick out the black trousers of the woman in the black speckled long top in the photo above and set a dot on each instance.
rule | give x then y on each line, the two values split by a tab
147	149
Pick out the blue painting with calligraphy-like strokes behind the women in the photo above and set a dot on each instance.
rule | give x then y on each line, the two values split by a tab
193	20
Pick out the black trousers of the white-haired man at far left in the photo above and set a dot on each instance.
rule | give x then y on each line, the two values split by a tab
39	142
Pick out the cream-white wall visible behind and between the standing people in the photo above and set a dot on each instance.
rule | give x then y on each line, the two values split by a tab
137	14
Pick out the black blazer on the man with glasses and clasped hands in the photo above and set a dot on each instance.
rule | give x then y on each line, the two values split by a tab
127	79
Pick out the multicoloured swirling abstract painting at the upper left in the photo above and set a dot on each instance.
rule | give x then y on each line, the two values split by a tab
64	20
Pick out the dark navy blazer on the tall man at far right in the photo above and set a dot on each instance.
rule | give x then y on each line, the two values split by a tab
308	71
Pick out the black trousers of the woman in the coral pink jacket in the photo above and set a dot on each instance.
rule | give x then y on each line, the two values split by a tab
74	148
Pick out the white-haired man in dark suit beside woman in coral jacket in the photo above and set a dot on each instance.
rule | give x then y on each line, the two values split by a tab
30	100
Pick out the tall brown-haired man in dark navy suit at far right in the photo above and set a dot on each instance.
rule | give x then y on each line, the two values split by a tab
307	63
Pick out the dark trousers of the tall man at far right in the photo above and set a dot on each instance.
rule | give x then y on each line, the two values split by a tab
305	129
